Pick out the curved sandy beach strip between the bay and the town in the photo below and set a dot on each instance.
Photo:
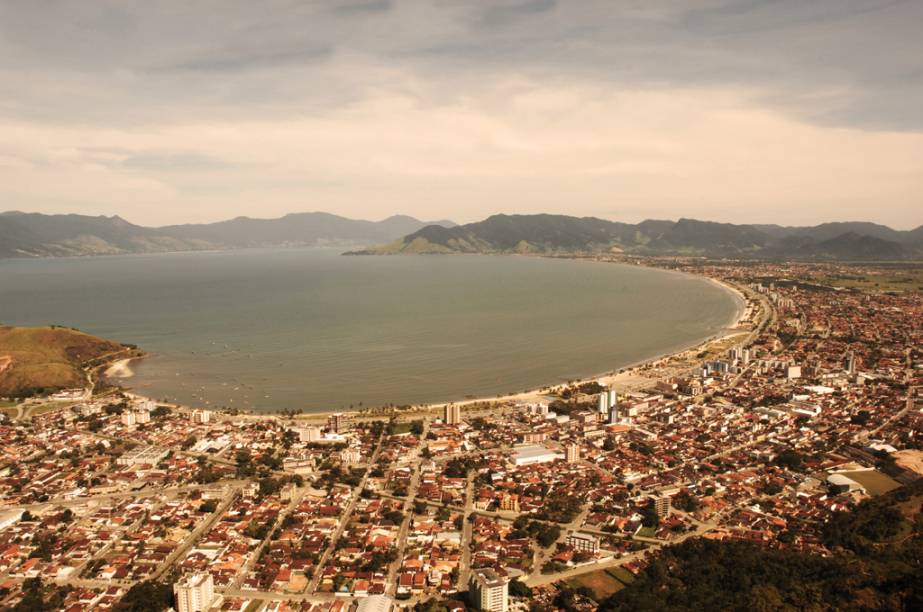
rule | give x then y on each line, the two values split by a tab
629	376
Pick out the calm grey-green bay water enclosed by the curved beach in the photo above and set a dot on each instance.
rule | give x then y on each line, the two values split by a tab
311	329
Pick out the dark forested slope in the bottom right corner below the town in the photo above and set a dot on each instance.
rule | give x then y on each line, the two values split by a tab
878	566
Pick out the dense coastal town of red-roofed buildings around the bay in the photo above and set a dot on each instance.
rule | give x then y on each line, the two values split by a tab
552	499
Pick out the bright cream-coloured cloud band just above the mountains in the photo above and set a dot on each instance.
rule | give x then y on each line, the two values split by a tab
522	147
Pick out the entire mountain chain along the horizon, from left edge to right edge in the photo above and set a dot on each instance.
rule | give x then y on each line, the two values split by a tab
39	235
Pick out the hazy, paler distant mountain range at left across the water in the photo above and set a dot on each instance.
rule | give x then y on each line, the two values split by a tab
38	235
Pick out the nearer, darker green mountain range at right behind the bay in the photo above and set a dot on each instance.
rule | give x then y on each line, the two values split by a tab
560	234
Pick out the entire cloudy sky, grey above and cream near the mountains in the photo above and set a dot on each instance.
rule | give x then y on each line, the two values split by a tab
741	111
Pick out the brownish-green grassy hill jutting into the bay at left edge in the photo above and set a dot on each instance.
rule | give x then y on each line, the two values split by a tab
37	360
